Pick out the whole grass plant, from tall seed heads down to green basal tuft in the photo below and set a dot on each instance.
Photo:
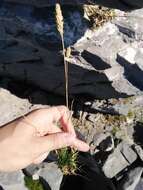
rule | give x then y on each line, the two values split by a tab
66	157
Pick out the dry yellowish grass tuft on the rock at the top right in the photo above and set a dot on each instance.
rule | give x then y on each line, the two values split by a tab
98	15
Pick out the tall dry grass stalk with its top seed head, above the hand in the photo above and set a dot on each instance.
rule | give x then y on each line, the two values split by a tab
60	28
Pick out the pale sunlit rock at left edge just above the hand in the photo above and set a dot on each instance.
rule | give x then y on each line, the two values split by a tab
13	107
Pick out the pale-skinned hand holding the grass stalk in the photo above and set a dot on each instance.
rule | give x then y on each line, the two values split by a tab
29	139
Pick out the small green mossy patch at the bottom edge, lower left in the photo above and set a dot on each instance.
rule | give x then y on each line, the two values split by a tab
33	184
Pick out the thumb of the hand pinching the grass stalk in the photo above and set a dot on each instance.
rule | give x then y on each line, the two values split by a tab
62	140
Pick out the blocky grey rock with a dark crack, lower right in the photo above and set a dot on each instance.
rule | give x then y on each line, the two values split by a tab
121	158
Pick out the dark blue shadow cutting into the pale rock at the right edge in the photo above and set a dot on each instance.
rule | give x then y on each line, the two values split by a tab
132	73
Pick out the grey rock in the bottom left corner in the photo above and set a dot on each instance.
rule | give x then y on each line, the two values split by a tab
12	181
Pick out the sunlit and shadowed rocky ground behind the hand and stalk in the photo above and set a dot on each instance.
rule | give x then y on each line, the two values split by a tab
105	78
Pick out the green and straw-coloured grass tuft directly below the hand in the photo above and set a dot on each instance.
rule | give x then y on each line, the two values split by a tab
67	161
